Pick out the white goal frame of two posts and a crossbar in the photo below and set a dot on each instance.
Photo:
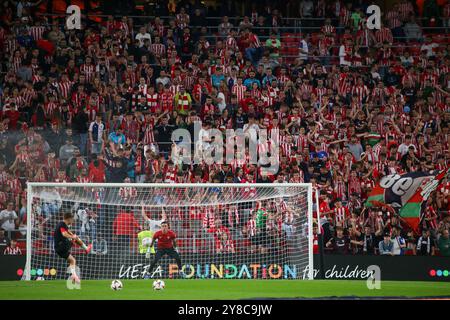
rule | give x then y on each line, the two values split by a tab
31	185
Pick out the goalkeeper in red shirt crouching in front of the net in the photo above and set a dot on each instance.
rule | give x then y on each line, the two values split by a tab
166	245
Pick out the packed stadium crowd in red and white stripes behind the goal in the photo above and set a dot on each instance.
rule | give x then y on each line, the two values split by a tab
352	105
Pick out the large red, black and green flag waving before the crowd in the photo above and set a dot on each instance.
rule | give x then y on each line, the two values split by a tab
406	193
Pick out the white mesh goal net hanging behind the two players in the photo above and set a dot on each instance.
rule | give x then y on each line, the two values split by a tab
224	231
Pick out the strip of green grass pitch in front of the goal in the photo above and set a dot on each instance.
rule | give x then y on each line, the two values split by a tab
217	289
